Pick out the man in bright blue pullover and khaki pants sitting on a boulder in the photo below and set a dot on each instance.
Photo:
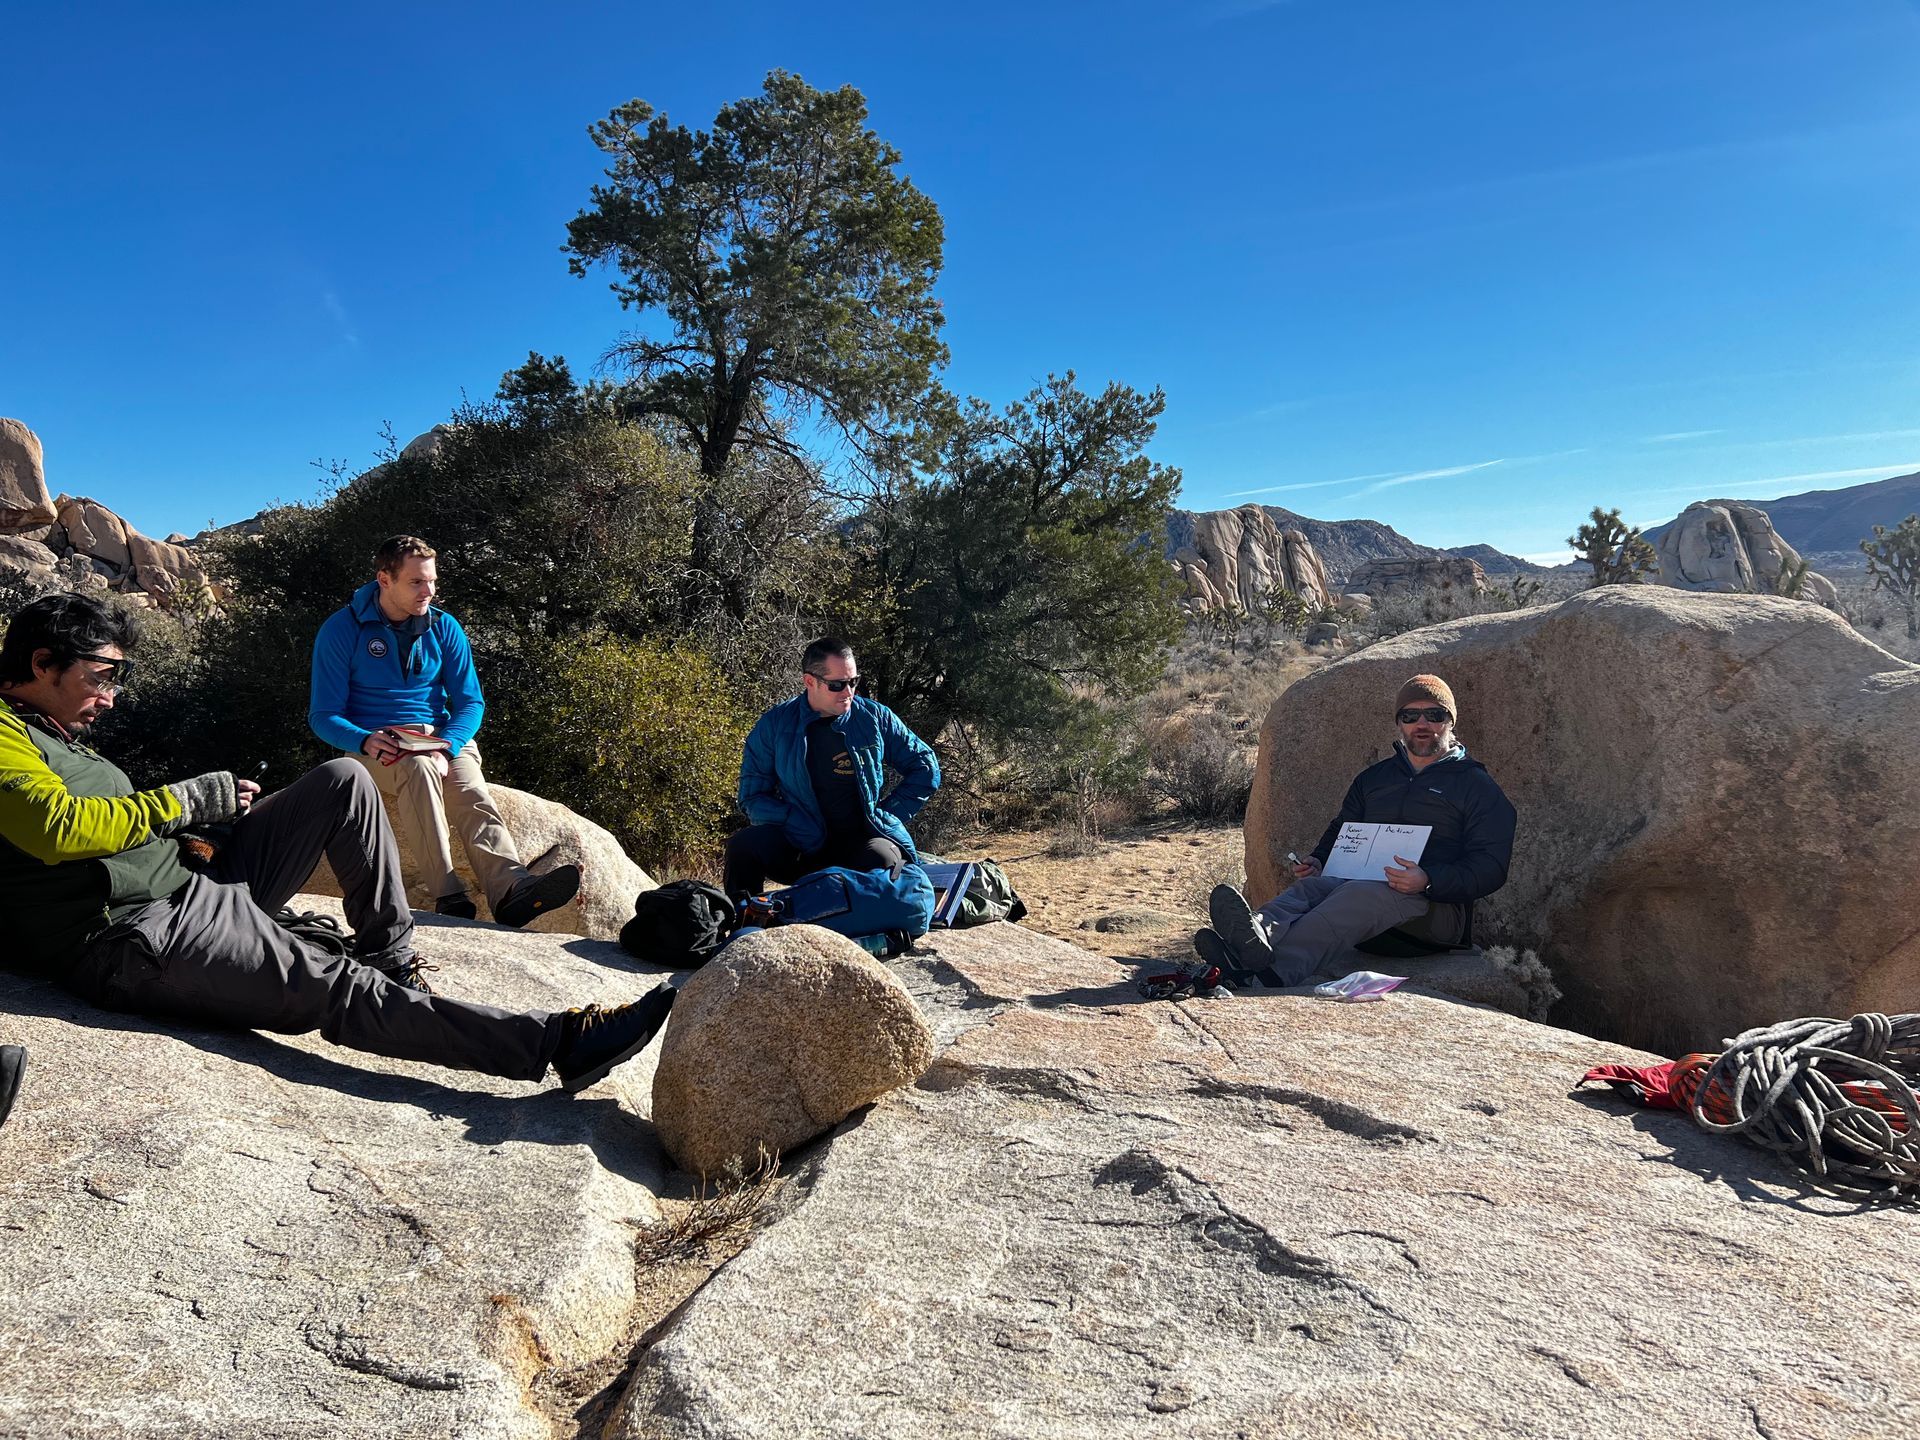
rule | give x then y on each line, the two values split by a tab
389	671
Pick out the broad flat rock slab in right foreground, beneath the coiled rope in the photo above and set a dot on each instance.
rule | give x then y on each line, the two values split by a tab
1276	1216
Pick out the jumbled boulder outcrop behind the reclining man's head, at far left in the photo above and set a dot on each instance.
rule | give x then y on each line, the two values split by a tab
72	542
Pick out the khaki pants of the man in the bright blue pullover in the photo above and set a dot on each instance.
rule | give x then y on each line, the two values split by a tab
425	804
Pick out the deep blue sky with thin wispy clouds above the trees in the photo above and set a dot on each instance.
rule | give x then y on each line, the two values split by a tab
1462	268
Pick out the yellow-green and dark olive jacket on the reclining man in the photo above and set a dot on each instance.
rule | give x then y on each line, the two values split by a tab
78	846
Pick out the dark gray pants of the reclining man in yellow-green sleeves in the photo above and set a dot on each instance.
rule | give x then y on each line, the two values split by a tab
210	953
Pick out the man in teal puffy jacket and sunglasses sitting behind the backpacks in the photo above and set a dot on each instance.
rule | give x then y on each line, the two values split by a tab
813	775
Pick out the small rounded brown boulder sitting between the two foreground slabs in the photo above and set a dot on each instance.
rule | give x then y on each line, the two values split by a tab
779	1040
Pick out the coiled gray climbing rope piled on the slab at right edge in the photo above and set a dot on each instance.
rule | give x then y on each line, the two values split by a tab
1835	1097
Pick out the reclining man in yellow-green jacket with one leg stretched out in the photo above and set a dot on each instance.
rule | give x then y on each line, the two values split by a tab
99	894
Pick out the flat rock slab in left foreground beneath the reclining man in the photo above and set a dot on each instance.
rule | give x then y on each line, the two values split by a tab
214	1234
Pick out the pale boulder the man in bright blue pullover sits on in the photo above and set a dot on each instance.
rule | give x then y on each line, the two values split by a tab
548	836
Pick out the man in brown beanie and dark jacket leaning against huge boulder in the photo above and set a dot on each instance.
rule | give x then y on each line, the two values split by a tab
1426	900
